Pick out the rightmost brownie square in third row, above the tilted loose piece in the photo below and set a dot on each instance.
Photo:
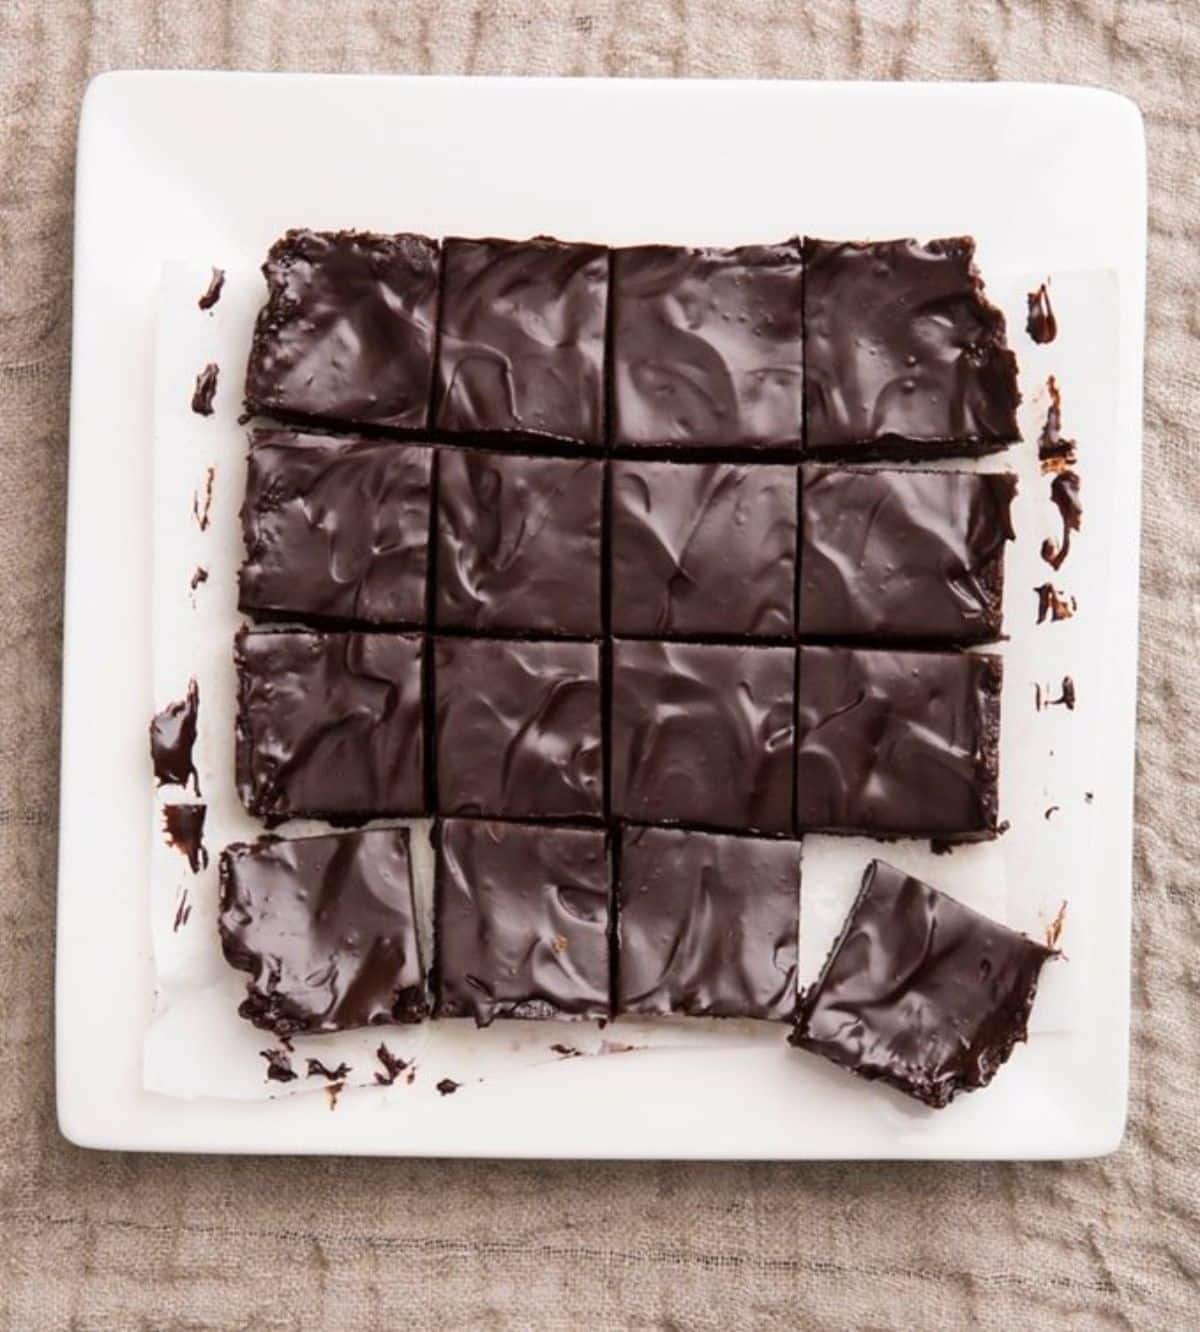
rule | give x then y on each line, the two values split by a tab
898	743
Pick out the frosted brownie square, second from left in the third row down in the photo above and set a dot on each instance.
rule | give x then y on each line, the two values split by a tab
519	729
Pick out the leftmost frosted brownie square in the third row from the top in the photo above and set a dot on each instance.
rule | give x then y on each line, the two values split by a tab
330	725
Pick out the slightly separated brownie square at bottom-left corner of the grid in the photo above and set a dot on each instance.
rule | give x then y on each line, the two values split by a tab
327	929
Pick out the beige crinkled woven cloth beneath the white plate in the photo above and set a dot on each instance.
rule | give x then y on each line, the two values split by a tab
91	1241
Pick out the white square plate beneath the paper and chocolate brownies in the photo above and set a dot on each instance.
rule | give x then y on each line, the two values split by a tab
215	167
